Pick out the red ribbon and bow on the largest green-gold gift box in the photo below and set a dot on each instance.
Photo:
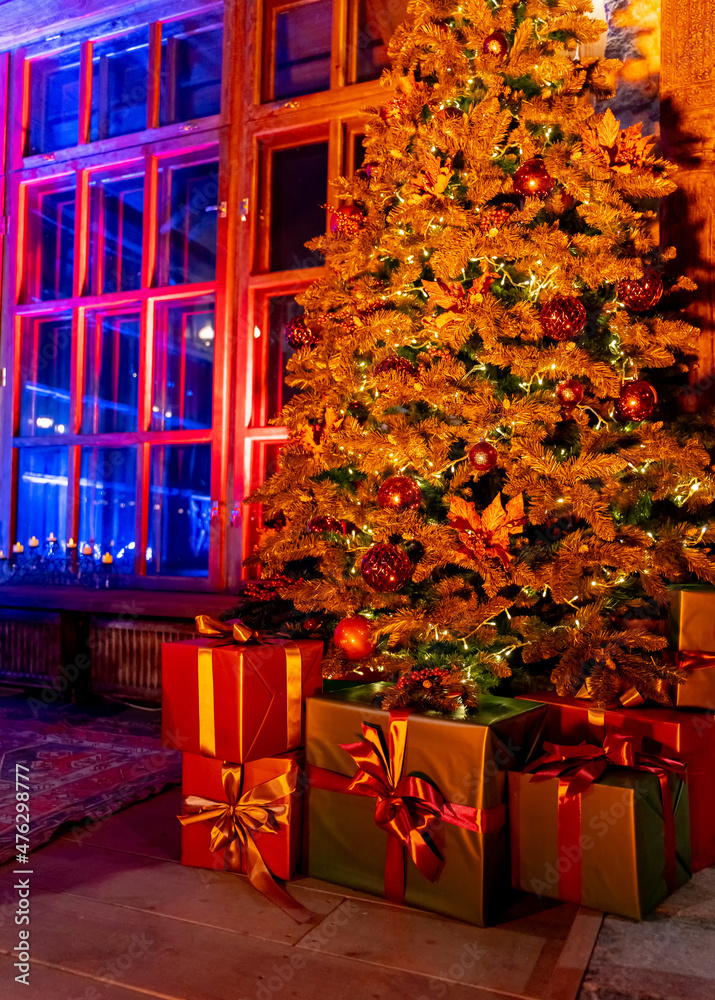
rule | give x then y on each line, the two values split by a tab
409	809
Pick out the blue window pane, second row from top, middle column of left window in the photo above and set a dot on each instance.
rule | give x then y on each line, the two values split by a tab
116	223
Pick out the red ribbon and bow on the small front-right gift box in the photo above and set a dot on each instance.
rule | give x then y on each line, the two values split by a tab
577	768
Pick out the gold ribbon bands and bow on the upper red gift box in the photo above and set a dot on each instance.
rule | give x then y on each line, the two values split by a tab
238	632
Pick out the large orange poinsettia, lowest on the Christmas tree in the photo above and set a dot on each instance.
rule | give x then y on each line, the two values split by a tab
486	535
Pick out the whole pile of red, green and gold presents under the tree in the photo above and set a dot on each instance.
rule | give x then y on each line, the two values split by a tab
435	800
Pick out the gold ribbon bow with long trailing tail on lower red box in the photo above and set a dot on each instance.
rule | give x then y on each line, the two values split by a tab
261	809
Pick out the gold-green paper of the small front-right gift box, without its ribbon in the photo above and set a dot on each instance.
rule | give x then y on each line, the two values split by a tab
622	845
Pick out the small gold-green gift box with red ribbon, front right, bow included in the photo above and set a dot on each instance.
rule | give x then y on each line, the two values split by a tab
605	827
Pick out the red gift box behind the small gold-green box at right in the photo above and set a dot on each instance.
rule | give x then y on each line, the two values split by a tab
688	736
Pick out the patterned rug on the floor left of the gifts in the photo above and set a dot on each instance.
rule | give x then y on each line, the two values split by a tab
83	764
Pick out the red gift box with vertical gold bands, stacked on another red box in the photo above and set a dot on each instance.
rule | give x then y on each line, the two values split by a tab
237	700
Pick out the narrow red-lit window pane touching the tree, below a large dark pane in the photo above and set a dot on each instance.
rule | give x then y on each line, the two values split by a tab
271	392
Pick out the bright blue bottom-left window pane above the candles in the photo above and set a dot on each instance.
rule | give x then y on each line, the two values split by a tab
42	493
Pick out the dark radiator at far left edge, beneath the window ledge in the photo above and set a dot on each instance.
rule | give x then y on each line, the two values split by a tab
30	650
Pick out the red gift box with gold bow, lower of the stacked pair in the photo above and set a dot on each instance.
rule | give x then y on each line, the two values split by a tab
245	818
